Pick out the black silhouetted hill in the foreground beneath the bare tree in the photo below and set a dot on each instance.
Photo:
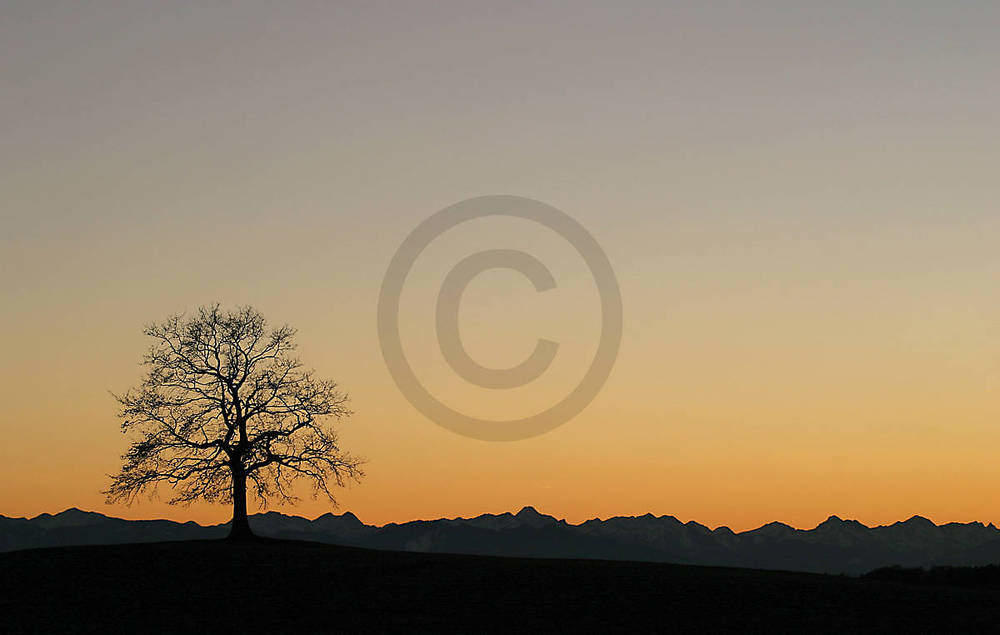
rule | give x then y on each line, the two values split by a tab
278	586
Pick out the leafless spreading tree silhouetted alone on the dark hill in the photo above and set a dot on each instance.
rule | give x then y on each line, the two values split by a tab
224	402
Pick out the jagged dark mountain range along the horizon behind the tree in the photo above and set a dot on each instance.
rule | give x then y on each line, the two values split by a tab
836	546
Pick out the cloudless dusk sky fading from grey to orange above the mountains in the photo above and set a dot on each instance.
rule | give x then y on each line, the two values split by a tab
799	201
